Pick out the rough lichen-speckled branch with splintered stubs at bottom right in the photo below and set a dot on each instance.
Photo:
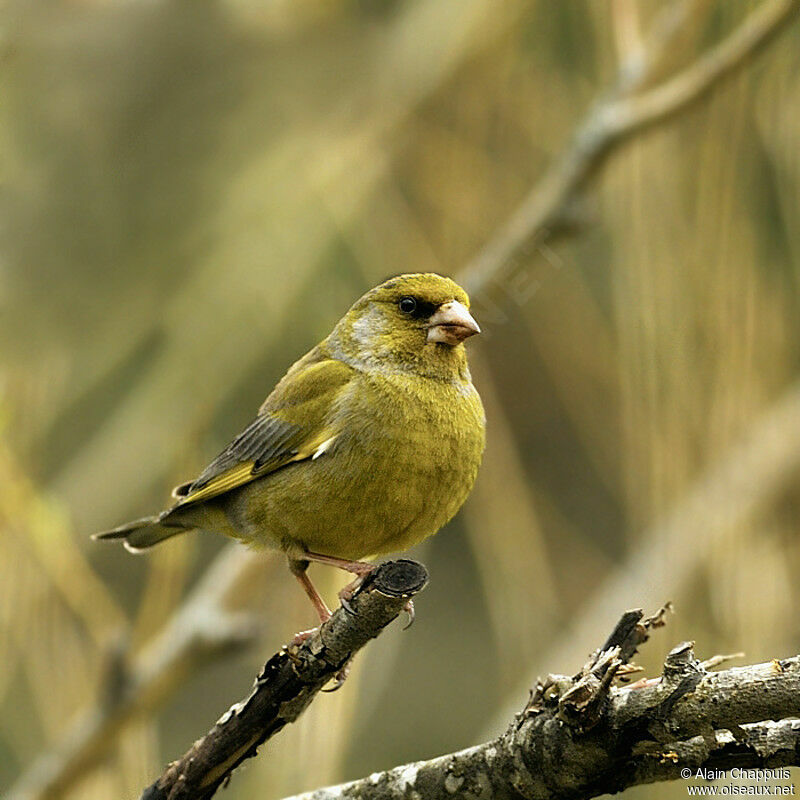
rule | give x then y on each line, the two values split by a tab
580	737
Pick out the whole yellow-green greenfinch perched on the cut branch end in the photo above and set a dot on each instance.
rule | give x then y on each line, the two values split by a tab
369	444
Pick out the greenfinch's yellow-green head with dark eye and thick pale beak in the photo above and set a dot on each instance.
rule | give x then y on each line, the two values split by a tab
415	323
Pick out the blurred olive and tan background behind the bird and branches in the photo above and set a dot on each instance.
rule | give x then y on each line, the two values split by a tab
193	193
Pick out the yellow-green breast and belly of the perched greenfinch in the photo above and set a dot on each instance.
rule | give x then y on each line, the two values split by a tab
389	481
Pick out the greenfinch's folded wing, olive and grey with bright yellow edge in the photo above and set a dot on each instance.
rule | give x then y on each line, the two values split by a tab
292	425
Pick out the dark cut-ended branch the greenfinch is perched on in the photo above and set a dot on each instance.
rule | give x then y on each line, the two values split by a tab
287	684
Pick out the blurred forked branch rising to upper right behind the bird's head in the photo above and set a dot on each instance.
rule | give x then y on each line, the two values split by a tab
625	111
